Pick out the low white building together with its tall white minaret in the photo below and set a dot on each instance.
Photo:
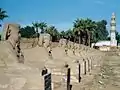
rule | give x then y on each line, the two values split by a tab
105	45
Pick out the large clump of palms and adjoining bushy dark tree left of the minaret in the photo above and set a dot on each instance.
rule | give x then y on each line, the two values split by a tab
89	31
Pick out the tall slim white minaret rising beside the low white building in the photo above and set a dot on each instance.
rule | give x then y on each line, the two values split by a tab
113	40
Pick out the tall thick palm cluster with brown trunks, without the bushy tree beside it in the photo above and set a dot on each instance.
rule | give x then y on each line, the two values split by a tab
82	28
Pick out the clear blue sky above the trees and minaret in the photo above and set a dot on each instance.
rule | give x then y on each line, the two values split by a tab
60	13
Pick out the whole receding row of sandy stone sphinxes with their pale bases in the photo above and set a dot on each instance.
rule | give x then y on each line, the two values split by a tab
20	67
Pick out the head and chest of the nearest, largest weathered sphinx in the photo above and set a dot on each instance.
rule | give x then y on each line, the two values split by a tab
11	36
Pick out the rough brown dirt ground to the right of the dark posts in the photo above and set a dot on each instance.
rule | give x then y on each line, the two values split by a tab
109	76
